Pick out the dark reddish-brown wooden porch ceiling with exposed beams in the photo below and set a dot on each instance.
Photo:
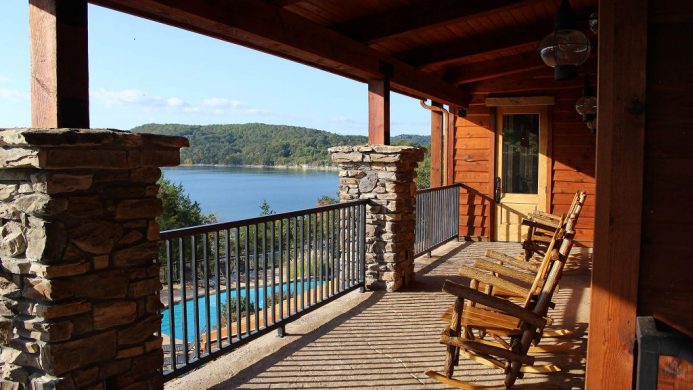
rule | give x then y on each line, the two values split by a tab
429	48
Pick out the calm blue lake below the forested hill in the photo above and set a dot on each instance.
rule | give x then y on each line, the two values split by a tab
233	193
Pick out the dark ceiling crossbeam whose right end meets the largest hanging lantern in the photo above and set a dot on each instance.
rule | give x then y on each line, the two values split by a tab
427	57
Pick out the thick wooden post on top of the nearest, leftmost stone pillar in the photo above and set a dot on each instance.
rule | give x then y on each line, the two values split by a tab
59	63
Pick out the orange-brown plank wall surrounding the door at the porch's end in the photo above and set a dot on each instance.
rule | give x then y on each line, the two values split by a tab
571	151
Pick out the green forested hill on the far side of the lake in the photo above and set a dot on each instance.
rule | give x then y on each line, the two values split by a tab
261	144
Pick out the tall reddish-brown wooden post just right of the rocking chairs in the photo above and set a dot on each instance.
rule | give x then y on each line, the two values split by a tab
620	155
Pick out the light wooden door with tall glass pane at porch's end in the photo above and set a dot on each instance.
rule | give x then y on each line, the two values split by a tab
521	167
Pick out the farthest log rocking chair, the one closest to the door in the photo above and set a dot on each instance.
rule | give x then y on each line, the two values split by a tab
542	226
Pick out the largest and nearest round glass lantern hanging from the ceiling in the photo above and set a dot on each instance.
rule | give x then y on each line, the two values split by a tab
566	47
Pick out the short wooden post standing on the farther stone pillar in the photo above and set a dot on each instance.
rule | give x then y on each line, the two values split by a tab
379	112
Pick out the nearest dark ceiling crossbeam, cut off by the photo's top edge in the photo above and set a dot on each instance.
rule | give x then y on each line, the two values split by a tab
420	17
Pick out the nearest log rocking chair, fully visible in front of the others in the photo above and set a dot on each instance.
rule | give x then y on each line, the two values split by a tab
521	324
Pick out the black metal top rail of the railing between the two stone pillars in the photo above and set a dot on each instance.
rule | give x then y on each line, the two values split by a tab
187	231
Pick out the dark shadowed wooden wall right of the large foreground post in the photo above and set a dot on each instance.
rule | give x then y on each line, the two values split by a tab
665	284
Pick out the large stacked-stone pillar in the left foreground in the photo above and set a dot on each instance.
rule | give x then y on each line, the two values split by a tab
79	277
